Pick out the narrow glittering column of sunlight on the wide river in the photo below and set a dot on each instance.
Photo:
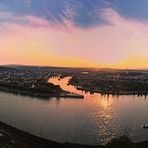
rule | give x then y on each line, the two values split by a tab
103	117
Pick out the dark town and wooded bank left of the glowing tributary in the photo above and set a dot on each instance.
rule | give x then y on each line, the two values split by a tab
28	82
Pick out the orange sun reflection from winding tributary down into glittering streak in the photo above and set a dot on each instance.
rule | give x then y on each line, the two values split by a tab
103	113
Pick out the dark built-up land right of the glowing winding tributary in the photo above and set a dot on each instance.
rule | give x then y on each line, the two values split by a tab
112	82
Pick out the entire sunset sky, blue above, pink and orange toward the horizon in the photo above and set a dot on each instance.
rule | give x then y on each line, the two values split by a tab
77	33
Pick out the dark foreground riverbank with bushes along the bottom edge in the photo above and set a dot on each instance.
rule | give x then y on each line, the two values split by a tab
11	137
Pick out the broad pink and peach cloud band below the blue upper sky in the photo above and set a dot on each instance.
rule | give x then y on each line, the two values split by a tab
105	44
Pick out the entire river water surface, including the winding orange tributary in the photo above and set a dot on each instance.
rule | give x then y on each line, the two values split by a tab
92	120
